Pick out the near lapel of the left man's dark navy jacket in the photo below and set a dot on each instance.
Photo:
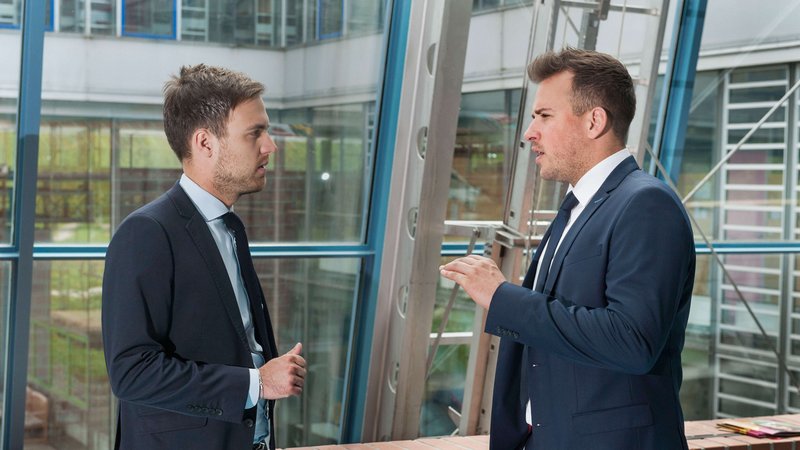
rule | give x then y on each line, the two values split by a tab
201	236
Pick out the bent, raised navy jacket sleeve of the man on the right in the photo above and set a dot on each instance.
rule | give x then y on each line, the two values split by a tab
649	273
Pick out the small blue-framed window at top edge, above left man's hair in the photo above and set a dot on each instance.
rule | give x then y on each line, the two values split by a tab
155	18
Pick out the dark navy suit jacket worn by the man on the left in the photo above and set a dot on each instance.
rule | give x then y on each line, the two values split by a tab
175	347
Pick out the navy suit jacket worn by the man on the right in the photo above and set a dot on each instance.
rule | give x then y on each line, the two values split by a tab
599	352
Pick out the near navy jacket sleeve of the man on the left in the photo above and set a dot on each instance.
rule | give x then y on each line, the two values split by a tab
143	365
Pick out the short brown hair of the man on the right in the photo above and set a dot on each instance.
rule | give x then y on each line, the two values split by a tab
598	80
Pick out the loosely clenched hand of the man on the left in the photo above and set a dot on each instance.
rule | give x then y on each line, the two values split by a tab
283	376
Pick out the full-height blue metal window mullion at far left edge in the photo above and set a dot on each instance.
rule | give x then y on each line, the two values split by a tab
17	317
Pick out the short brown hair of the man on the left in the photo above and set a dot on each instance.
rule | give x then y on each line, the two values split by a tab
203	96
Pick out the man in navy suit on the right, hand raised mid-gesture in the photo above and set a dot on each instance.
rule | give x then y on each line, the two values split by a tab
590	350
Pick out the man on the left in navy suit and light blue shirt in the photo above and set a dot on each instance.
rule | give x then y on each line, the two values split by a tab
188	341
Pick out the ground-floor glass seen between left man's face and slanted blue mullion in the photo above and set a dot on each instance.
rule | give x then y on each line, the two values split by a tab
316	187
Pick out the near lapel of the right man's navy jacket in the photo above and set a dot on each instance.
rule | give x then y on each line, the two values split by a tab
619	173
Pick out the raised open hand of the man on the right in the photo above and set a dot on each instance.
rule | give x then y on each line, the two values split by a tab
477	275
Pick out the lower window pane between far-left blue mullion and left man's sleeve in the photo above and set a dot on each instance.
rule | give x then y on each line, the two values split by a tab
68	401
